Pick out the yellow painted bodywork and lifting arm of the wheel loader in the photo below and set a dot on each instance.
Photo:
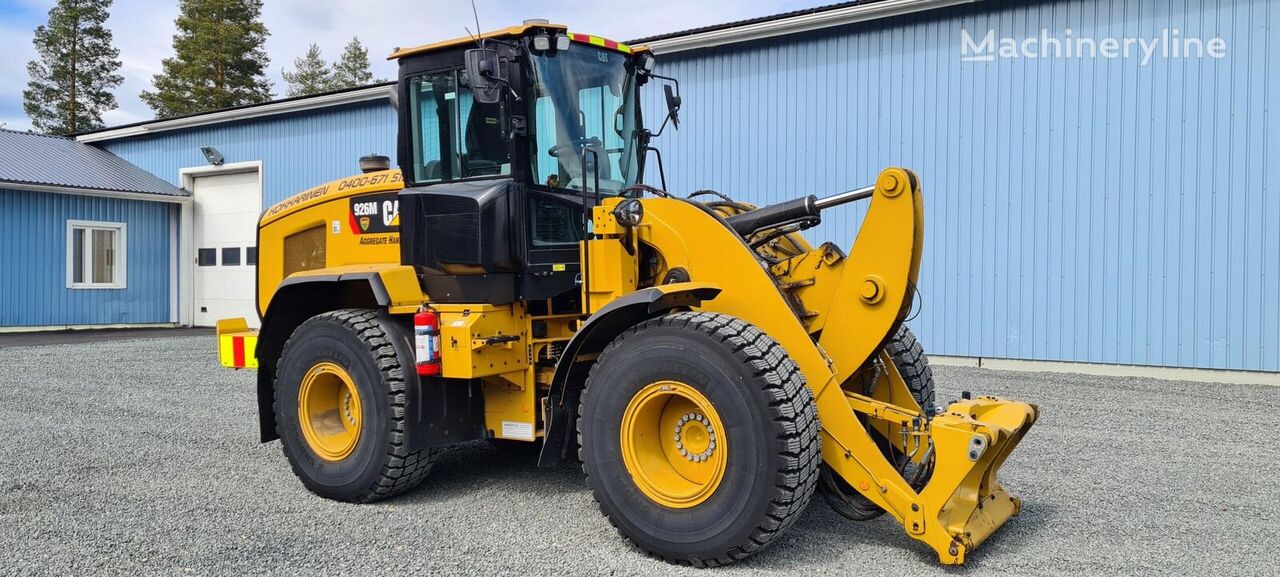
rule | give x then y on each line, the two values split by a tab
847	305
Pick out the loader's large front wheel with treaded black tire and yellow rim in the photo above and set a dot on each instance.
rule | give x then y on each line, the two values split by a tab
769	448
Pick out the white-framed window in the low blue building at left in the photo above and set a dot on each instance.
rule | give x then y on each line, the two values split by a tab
95	255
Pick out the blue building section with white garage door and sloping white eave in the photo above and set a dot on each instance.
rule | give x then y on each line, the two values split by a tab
240	162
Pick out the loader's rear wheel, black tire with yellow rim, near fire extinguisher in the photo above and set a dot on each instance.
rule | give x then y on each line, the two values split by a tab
356	346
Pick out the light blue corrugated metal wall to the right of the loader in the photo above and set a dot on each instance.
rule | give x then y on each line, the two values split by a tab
1078	209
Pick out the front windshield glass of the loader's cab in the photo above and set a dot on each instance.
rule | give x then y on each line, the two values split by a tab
583	99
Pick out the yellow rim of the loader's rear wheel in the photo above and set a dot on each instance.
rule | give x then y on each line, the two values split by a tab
330	411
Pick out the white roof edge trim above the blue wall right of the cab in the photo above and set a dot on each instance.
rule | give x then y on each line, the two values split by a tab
799	24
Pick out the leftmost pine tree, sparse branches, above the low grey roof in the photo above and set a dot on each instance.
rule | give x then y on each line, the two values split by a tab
72	79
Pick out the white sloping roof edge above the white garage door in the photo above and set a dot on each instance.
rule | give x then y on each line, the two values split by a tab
374	93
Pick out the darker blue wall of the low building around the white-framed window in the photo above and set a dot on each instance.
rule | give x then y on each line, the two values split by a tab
34	260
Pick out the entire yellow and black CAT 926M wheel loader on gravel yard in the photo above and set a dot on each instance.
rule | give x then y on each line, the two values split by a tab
514	280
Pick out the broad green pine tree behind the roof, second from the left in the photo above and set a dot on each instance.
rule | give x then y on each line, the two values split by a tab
220	59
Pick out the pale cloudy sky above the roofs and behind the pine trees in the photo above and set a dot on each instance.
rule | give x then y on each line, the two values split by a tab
144	33
